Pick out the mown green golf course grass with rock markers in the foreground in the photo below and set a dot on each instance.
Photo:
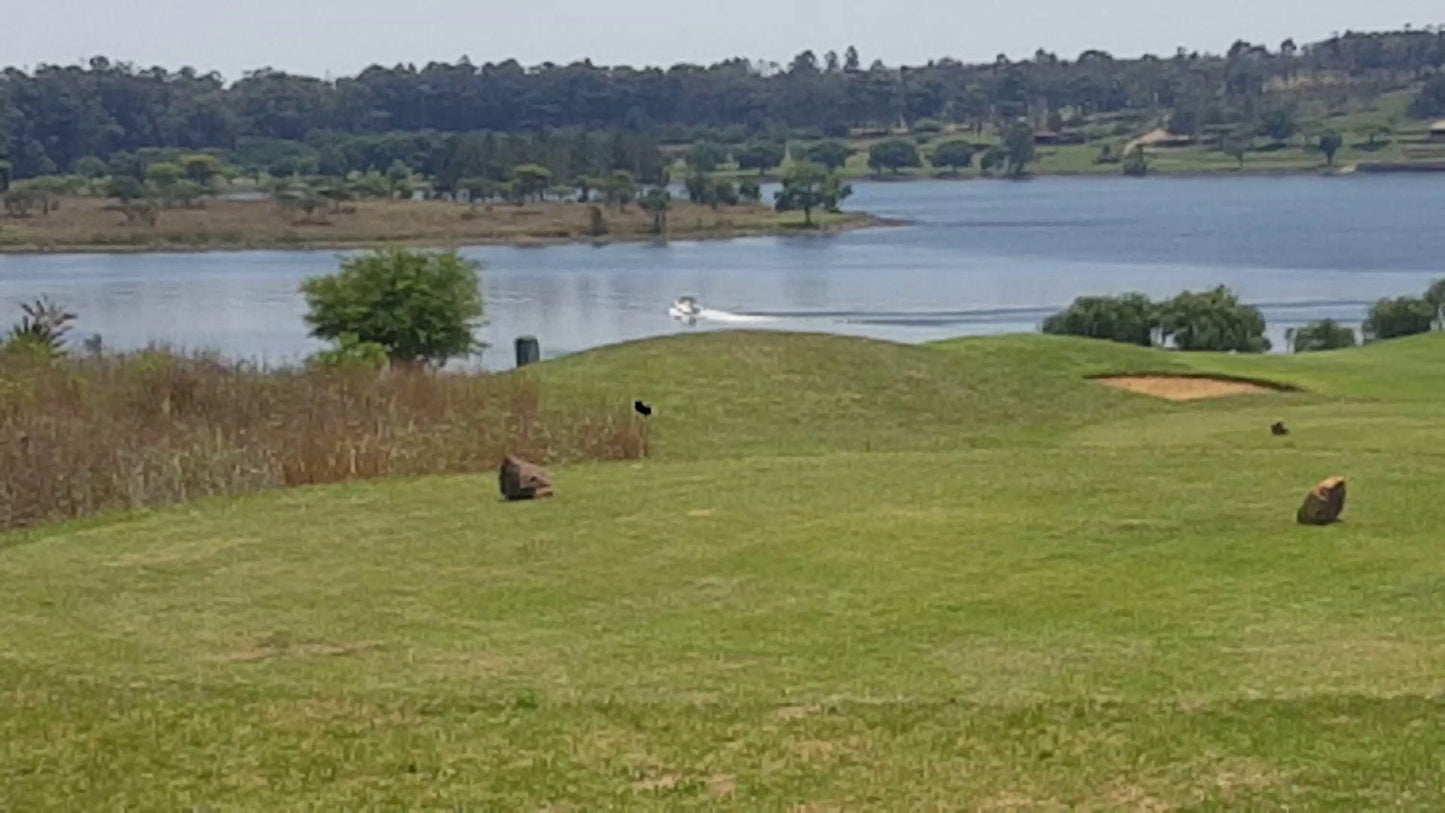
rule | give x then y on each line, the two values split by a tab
855	575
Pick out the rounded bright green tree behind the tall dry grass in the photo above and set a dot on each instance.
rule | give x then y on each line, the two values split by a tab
421	307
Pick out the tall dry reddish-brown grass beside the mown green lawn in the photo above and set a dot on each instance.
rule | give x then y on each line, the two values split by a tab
106	432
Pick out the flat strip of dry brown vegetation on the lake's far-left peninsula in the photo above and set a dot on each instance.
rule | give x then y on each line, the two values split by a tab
95	225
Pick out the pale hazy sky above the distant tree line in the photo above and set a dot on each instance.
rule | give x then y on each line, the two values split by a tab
322	37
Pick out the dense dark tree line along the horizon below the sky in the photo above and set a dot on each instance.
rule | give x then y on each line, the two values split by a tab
56	116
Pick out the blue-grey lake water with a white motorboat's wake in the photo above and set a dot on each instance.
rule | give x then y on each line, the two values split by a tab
982	258
